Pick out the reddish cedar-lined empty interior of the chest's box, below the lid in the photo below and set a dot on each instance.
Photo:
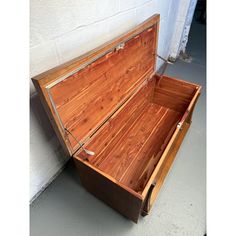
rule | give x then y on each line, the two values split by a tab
129	146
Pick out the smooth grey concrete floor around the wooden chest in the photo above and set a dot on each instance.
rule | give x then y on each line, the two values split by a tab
65	208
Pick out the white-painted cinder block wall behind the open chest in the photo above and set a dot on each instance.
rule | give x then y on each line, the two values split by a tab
63	29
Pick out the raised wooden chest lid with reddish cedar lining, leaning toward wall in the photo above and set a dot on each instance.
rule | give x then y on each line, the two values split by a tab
79	96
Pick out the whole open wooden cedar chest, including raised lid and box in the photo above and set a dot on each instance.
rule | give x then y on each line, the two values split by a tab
120	121
